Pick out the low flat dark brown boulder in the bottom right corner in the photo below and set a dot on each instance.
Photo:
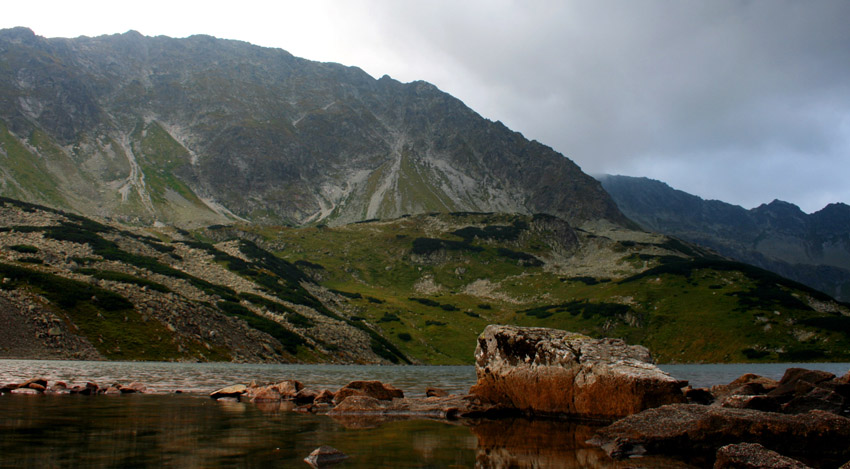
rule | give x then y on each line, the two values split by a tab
689	429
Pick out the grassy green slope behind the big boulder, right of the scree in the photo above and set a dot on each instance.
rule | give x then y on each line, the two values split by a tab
432	288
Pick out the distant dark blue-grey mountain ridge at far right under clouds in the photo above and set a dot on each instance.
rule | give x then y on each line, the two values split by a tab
811	249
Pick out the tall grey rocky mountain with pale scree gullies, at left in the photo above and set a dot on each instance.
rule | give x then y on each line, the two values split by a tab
200	131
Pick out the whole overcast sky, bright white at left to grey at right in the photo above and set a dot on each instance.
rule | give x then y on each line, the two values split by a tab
741	101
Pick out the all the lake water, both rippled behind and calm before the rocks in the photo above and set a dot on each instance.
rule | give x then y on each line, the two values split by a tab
191	430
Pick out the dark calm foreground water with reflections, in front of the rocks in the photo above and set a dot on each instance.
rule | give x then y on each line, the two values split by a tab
191	431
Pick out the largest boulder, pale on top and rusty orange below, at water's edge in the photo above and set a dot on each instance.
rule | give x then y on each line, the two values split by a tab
547	371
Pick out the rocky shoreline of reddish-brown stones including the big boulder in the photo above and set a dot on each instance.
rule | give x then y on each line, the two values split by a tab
543	374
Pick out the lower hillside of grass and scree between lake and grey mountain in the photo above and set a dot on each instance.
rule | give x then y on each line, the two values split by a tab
416	289
